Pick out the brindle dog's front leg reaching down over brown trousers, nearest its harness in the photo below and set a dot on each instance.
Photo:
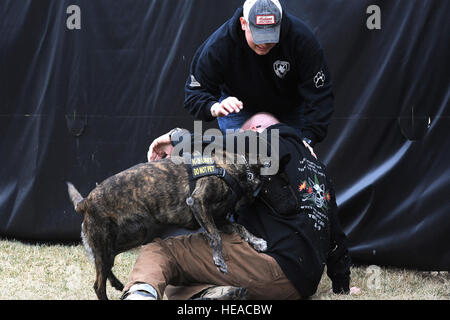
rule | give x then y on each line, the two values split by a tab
206	221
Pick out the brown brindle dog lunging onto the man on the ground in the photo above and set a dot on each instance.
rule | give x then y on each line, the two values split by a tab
135	206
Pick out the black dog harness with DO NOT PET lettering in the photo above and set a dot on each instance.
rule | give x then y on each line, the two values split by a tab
204	167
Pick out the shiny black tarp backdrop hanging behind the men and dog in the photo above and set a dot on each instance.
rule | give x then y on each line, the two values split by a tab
81	105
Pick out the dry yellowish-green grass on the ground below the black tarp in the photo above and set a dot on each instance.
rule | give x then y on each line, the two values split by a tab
57	272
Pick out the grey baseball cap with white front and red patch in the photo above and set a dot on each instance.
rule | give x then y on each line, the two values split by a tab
264	19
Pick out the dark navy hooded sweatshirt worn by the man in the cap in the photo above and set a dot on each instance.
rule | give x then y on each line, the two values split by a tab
292	76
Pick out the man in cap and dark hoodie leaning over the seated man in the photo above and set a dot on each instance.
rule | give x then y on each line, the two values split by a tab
262	60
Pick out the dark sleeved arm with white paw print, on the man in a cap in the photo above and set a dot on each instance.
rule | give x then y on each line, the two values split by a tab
316	88
